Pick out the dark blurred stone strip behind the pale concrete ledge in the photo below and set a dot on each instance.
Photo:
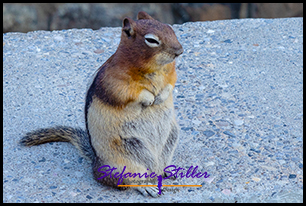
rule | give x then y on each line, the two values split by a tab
24	17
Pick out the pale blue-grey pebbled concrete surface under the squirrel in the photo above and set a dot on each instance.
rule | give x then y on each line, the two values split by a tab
238	101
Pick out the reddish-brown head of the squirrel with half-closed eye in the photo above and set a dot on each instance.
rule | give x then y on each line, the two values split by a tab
149	41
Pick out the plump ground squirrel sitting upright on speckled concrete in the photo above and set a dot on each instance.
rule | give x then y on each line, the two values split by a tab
129	110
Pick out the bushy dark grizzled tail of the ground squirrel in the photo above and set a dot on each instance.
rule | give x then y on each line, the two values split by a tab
76	136
